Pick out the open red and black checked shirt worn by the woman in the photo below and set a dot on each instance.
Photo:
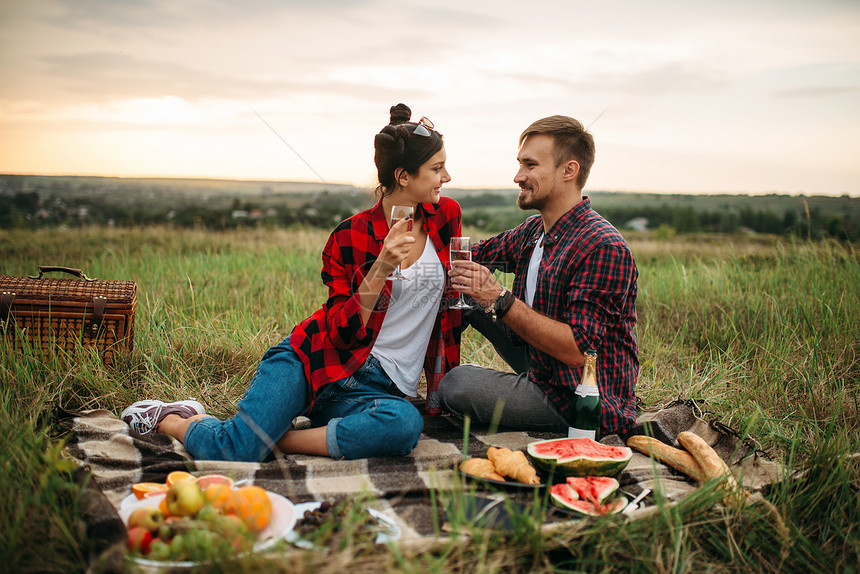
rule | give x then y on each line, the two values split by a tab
333	342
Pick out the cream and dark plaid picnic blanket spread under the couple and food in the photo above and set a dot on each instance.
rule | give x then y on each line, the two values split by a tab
117	458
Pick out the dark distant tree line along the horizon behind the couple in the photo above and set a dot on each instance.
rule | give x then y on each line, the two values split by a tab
27	209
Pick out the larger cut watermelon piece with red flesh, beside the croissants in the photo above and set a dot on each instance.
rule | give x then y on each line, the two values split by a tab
609	461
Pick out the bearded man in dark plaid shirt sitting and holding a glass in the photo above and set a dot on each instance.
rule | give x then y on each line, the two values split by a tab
574	290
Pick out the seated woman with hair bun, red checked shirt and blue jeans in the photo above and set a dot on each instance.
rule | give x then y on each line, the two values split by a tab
352	365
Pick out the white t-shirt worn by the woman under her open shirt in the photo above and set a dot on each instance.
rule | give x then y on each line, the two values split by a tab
402	342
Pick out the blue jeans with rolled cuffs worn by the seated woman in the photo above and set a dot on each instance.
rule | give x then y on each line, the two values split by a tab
363	419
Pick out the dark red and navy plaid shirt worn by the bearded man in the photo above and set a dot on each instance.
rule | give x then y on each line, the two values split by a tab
587	280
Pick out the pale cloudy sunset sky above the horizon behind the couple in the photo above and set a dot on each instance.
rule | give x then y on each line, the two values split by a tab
729	96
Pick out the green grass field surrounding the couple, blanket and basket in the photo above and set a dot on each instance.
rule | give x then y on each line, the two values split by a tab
762	331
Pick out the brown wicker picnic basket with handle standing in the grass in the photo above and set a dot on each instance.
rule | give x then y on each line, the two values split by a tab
40	315
